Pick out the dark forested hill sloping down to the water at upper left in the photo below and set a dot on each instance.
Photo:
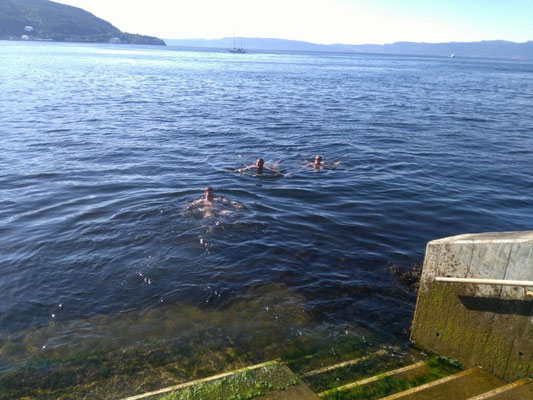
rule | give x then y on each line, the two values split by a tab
60	22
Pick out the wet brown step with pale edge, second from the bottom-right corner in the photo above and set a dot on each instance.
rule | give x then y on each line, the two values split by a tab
460	386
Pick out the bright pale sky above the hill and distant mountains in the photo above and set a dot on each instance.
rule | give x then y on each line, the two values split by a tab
321	21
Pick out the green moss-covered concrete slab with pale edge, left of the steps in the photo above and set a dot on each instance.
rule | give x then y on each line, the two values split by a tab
258	381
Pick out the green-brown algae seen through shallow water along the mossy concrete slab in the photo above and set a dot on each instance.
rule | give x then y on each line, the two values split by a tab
150	366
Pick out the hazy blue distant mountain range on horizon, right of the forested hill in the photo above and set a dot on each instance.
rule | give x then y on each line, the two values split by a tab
485	49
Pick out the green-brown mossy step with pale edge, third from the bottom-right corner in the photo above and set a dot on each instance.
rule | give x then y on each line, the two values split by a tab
394	381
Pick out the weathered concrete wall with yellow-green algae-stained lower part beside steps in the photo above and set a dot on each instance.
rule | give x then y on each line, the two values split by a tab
490	326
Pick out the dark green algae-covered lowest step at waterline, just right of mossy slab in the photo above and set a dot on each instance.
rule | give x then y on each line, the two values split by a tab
326	378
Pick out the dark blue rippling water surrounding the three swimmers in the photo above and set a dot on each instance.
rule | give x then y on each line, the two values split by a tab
103	147
